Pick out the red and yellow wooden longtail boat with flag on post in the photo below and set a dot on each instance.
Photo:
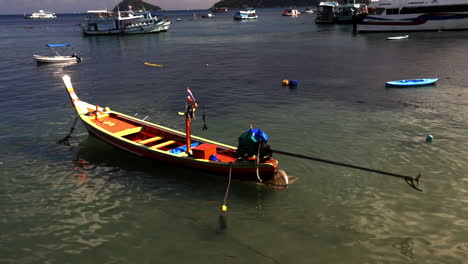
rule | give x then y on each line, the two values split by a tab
164	144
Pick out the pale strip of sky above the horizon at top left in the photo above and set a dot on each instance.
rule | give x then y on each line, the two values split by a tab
75	6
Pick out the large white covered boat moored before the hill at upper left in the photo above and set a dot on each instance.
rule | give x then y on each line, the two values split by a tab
103	22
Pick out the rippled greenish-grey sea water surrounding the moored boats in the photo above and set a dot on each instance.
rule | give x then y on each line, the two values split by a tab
91	203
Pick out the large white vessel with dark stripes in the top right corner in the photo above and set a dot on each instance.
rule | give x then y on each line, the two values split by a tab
411	15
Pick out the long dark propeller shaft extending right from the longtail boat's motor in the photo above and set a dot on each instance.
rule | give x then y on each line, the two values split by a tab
409	180
